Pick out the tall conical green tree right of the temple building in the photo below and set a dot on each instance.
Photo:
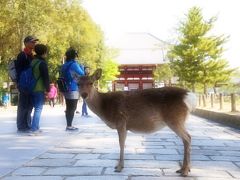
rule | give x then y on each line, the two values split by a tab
196	50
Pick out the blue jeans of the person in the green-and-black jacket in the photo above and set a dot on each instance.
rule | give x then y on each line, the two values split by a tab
38	101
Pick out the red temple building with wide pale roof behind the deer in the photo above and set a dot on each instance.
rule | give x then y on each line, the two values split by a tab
139	54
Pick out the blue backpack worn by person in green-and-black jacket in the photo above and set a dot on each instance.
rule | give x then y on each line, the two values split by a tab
27	81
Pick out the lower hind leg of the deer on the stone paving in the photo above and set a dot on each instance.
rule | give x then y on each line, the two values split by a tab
186	138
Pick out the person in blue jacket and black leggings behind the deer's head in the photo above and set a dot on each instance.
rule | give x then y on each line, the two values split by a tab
71	97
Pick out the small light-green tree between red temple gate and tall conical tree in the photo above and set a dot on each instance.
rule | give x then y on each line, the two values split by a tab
163	73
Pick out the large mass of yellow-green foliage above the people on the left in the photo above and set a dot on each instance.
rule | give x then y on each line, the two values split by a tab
59	24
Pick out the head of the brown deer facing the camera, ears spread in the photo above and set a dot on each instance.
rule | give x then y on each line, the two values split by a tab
86	83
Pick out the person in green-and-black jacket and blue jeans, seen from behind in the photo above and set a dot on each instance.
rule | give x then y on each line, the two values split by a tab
41	75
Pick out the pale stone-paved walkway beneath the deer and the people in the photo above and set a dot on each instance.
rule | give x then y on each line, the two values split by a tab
91	153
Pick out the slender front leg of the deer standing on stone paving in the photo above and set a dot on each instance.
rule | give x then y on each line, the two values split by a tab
122	134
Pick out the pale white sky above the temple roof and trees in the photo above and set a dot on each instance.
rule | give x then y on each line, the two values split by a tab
161	18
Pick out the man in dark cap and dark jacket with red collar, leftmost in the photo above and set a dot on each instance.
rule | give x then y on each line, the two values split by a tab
24	108
